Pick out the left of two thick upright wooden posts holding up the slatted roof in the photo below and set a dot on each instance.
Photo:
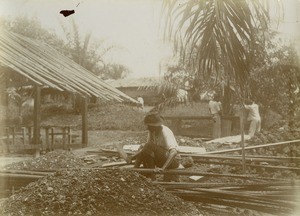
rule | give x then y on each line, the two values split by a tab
37	115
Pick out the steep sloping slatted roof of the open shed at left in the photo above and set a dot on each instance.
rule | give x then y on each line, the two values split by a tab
45	66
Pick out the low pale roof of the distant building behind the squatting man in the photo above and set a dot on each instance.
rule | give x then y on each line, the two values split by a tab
135	82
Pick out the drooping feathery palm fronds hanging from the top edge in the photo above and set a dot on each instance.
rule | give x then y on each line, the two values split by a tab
217	36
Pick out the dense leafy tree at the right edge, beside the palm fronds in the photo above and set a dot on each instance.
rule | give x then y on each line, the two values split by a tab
275	77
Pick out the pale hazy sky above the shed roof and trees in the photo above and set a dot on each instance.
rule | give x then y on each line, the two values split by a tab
131	25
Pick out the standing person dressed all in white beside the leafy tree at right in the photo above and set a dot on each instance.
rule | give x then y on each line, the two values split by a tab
254	117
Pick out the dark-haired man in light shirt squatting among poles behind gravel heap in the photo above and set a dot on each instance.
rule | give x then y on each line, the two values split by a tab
160	151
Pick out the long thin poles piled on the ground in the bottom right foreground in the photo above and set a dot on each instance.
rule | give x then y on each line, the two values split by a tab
269	195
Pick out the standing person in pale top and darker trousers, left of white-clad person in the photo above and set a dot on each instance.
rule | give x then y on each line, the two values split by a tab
215	109
